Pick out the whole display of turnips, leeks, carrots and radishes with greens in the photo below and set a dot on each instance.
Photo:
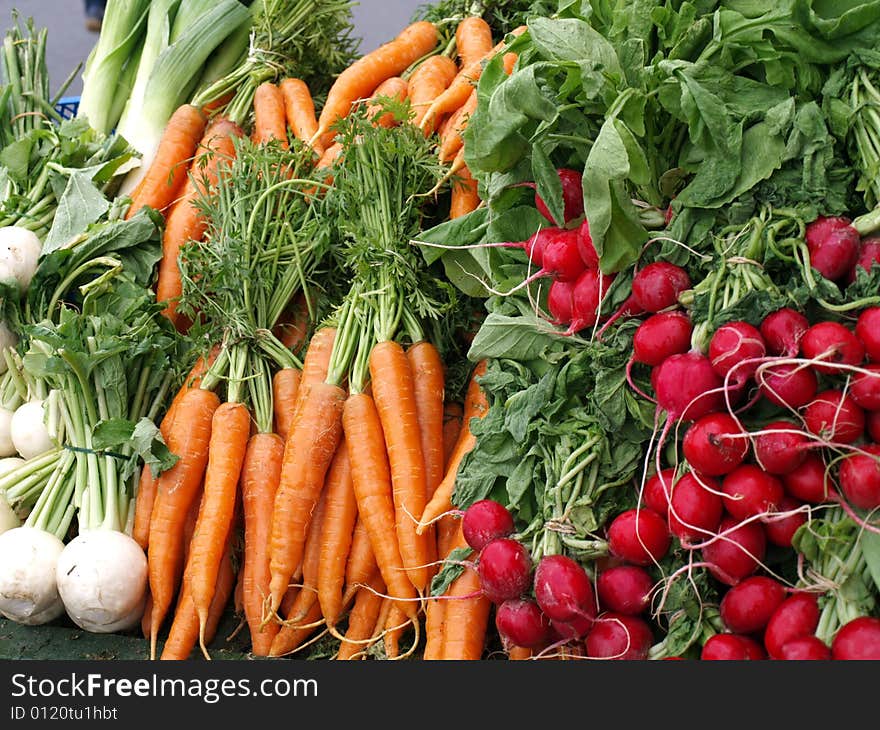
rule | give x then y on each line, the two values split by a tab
546	330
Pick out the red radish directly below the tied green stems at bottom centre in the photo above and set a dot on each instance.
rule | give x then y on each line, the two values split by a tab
563	589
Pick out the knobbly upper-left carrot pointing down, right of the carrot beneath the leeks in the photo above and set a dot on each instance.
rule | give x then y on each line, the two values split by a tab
185	221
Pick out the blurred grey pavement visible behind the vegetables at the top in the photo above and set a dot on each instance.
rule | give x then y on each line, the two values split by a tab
376	21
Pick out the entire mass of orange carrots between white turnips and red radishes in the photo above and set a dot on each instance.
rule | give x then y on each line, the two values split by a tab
335	508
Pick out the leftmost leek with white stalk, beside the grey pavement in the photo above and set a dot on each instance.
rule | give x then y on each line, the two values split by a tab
122	32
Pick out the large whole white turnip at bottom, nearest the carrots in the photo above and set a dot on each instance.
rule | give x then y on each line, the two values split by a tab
102	580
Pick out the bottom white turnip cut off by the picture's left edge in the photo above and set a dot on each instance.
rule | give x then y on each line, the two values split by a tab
28	589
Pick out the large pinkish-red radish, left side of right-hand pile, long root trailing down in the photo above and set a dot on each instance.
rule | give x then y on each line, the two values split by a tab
687	387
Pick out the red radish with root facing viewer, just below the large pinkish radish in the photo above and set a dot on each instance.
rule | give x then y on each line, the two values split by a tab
715	444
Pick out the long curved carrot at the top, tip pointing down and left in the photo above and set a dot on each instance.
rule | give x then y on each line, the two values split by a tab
361	77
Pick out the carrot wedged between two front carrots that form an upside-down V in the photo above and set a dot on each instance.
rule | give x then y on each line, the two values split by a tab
336	537
